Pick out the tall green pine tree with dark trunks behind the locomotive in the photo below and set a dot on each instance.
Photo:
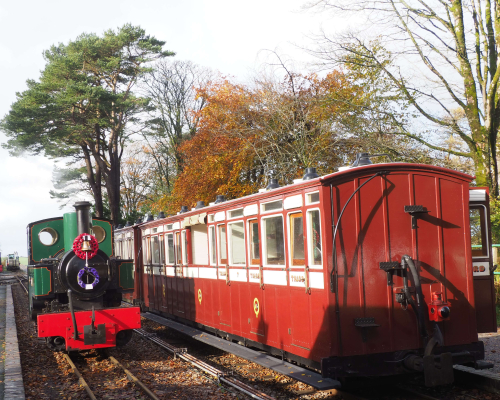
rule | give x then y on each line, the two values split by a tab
84	106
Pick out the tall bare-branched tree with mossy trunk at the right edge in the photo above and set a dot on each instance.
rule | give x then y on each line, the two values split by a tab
439	56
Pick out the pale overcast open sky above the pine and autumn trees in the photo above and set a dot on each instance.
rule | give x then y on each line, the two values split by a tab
229	36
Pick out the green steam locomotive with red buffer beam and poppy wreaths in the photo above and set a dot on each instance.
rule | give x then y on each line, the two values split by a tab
76	284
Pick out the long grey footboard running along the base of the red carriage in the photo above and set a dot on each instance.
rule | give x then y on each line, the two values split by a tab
293	371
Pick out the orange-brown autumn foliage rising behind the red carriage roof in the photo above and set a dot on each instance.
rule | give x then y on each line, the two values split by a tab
247	134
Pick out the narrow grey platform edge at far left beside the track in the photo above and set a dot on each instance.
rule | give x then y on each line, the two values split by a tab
11	378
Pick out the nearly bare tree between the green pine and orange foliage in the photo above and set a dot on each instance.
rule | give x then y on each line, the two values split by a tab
171	86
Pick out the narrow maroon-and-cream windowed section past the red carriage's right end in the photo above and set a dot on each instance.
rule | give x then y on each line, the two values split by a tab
482	260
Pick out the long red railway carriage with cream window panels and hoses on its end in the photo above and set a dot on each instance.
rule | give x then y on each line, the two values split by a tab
364	272
